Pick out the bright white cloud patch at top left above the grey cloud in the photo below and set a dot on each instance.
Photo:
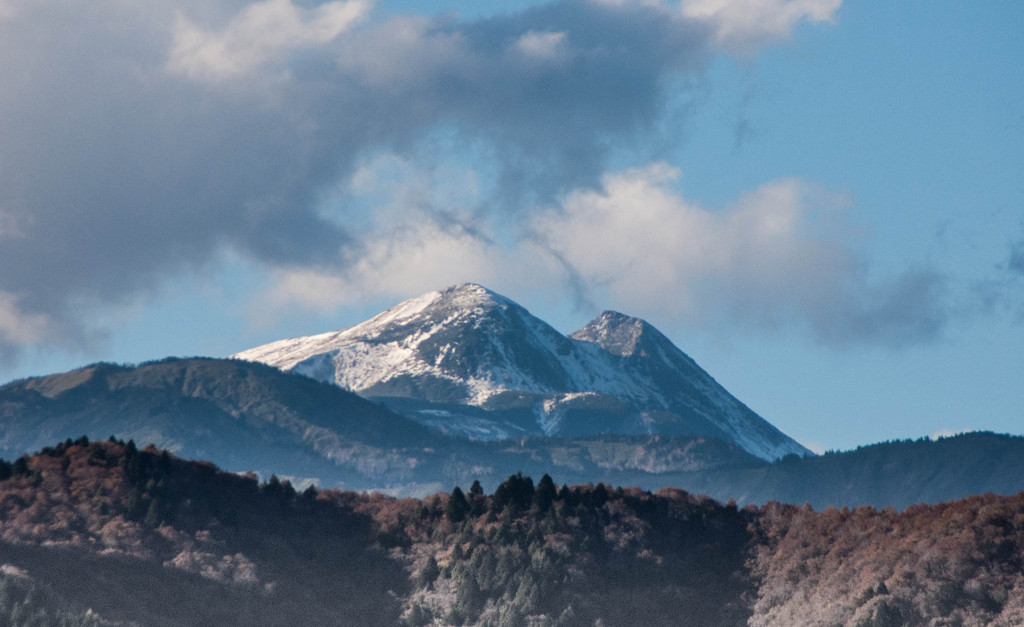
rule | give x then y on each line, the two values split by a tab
260	34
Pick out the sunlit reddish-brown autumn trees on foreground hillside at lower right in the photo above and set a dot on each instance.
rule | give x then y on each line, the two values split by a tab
952	564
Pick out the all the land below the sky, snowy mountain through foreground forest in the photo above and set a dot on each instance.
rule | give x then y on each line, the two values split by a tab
460	387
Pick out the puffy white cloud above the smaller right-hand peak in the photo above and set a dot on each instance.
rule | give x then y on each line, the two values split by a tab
643	243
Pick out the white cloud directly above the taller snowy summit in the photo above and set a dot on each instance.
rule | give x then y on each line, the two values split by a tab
424	233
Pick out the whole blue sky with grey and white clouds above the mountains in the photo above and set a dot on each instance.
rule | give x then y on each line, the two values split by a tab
823	203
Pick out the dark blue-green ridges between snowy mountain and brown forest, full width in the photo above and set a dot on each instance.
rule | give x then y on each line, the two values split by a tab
248	416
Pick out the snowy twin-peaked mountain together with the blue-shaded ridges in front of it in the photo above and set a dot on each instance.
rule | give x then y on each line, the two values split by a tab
465	386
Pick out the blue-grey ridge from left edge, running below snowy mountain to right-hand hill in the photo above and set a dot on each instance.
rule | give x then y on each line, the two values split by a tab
248	416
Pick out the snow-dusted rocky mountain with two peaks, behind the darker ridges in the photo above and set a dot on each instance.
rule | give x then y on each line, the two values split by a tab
475	363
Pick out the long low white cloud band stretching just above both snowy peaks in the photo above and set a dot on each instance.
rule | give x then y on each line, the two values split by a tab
777	258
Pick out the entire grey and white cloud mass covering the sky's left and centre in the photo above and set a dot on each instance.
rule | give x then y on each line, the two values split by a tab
146	141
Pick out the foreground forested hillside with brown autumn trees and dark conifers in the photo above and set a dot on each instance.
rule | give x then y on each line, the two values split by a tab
106	534
